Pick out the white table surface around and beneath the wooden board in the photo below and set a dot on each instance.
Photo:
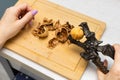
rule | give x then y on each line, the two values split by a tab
104	10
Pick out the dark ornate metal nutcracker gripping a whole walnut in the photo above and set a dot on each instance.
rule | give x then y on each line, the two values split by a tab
92	47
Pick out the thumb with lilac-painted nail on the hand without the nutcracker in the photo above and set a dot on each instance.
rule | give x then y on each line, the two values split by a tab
27	17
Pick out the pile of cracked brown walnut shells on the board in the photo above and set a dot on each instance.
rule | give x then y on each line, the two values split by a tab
61	31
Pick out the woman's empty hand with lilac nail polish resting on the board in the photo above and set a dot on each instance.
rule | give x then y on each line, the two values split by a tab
13	20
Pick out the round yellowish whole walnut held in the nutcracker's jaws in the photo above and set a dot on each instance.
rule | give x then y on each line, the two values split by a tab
77	33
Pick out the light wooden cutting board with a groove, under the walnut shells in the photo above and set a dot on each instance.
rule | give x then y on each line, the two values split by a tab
63	59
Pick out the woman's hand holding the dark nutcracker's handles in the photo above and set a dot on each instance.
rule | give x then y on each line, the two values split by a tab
114	73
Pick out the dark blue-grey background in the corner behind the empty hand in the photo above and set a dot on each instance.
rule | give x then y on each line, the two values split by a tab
5	4
